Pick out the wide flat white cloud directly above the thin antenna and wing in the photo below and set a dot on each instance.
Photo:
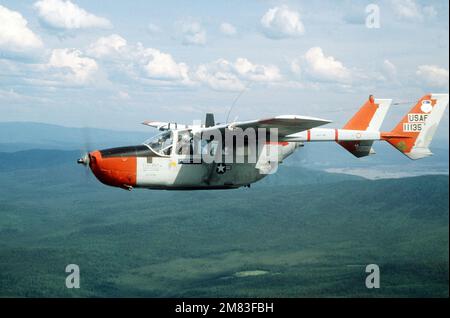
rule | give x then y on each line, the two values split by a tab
226	75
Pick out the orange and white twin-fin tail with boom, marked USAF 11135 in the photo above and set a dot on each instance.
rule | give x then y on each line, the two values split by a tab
412	135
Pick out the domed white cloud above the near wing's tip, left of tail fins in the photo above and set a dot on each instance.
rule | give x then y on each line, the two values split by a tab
319	67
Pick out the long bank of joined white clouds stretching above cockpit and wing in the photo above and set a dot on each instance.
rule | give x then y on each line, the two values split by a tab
143	64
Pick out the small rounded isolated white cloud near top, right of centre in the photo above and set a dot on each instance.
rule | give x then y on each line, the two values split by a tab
281	22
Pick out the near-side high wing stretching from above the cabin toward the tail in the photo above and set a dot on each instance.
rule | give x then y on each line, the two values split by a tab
286	124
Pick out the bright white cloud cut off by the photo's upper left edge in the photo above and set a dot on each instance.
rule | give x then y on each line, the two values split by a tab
15	36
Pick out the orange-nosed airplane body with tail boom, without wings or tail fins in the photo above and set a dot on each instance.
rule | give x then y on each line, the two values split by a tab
161	163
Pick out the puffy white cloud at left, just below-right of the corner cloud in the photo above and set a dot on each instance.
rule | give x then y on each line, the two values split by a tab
79	69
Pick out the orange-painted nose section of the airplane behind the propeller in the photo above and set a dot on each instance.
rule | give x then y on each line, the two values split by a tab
114	167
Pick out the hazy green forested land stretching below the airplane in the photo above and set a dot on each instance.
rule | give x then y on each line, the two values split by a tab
300	233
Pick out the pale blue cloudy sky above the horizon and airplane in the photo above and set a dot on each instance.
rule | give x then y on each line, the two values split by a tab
113	64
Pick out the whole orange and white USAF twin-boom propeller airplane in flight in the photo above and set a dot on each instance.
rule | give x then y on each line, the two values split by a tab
173	160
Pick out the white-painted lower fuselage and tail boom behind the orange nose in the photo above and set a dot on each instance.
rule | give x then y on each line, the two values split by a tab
175	171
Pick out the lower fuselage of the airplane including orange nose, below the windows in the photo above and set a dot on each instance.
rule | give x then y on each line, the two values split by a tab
140	167
